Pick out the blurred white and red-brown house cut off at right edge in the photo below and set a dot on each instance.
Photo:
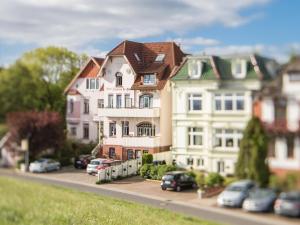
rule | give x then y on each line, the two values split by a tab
278	106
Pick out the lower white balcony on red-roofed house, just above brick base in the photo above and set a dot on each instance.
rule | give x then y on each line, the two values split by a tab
133	141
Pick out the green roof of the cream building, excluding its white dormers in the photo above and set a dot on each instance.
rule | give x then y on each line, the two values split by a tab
219	67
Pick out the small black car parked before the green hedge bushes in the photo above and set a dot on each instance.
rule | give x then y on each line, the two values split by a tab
177	180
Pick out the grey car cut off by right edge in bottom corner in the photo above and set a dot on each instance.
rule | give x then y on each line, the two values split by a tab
288	204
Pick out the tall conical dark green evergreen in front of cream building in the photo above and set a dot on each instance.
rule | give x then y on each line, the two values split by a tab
252	158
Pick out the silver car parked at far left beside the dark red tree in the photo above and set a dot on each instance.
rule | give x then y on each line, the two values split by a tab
44	165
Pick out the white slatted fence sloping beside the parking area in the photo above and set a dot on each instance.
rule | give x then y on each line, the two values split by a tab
128	168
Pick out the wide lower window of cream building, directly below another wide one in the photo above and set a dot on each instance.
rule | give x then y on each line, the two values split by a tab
227	138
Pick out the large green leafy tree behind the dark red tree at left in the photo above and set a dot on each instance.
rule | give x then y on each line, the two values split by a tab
37	80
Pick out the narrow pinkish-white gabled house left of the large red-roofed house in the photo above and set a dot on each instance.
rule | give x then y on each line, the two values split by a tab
82	95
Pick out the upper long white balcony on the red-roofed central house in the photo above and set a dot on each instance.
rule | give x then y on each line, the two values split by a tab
129	112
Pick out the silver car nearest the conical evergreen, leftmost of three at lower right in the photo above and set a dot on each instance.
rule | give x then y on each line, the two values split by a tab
235	194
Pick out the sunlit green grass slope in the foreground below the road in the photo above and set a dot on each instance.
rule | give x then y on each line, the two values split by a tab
31	203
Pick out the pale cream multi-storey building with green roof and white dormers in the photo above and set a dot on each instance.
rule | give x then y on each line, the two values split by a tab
212	103
